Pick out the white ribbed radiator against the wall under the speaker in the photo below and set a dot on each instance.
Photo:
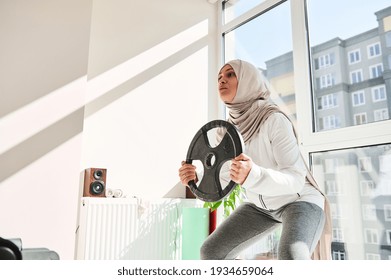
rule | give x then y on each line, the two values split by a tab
127	228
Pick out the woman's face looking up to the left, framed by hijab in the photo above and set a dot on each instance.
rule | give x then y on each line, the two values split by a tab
228	83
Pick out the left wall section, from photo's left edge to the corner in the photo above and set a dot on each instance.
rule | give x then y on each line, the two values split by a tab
43	66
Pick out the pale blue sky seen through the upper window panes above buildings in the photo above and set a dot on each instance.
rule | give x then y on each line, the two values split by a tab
269	35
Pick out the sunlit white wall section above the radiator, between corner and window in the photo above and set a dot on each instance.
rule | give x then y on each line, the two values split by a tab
149	69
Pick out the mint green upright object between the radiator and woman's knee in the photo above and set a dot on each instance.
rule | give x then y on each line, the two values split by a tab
195	229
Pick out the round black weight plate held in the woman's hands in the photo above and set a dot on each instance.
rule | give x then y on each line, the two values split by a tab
209	187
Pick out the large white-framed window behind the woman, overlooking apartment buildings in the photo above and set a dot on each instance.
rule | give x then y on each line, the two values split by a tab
331	73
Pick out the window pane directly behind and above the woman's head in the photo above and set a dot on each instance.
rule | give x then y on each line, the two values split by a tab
255	41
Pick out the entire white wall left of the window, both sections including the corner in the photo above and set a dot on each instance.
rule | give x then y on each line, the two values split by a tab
150	66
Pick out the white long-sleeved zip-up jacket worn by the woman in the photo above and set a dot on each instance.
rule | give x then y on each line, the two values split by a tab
278	174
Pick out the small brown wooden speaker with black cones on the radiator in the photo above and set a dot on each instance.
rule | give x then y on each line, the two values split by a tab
95	182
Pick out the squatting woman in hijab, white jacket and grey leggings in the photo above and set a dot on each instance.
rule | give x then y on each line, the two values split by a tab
276	181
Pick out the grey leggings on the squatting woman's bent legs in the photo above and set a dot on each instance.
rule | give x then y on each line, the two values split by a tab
302	225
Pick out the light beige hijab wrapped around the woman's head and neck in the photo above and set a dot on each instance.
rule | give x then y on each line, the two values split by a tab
251	105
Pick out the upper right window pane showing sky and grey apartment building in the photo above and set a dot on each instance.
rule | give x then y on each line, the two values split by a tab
348	57
